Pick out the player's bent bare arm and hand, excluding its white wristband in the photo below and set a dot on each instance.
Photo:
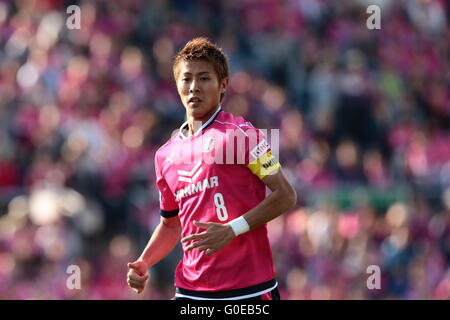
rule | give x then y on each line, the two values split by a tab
282	198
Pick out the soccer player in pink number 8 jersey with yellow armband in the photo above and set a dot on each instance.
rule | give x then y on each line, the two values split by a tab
217	208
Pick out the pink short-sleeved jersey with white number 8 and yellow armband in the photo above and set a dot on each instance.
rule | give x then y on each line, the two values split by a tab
215	176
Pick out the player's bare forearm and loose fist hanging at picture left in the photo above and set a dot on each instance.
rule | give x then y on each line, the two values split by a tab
163	240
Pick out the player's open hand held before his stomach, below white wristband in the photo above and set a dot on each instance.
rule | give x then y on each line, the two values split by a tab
215	237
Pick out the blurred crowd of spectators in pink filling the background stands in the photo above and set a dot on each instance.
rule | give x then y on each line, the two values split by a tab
364	118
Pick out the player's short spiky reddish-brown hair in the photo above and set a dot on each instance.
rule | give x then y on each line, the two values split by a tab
202	49
